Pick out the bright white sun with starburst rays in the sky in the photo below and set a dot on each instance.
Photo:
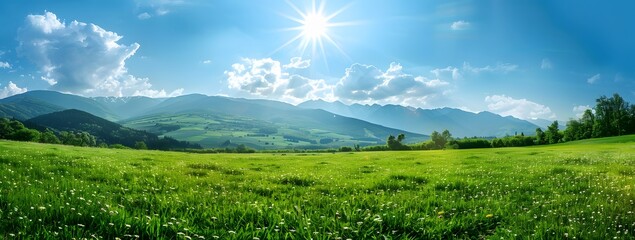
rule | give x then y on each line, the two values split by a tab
313	28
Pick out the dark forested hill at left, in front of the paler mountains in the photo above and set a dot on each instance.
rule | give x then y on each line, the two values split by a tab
103	130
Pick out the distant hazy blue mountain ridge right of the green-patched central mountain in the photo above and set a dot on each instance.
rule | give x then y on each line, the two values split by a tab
460	123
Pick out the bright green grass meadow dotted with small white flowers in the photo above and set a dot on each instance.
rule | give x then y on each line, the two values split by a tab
583	190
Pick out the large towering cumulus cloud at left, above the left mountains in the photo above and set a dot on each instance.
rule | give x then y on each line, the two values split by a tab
78	57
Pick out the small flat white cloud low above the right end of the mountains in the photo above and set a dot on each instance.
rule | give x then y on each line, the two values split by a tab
519	108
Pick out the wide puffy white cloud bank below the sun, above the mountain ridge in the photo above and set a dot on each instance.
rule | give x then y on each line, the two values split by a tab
360	83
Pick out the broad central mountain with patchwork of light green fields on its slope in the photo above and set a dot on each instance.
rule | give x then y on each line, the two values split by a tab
219	121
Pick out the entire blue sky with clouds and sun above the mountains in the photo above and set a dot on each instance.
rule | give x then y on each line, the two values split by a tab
529	59
